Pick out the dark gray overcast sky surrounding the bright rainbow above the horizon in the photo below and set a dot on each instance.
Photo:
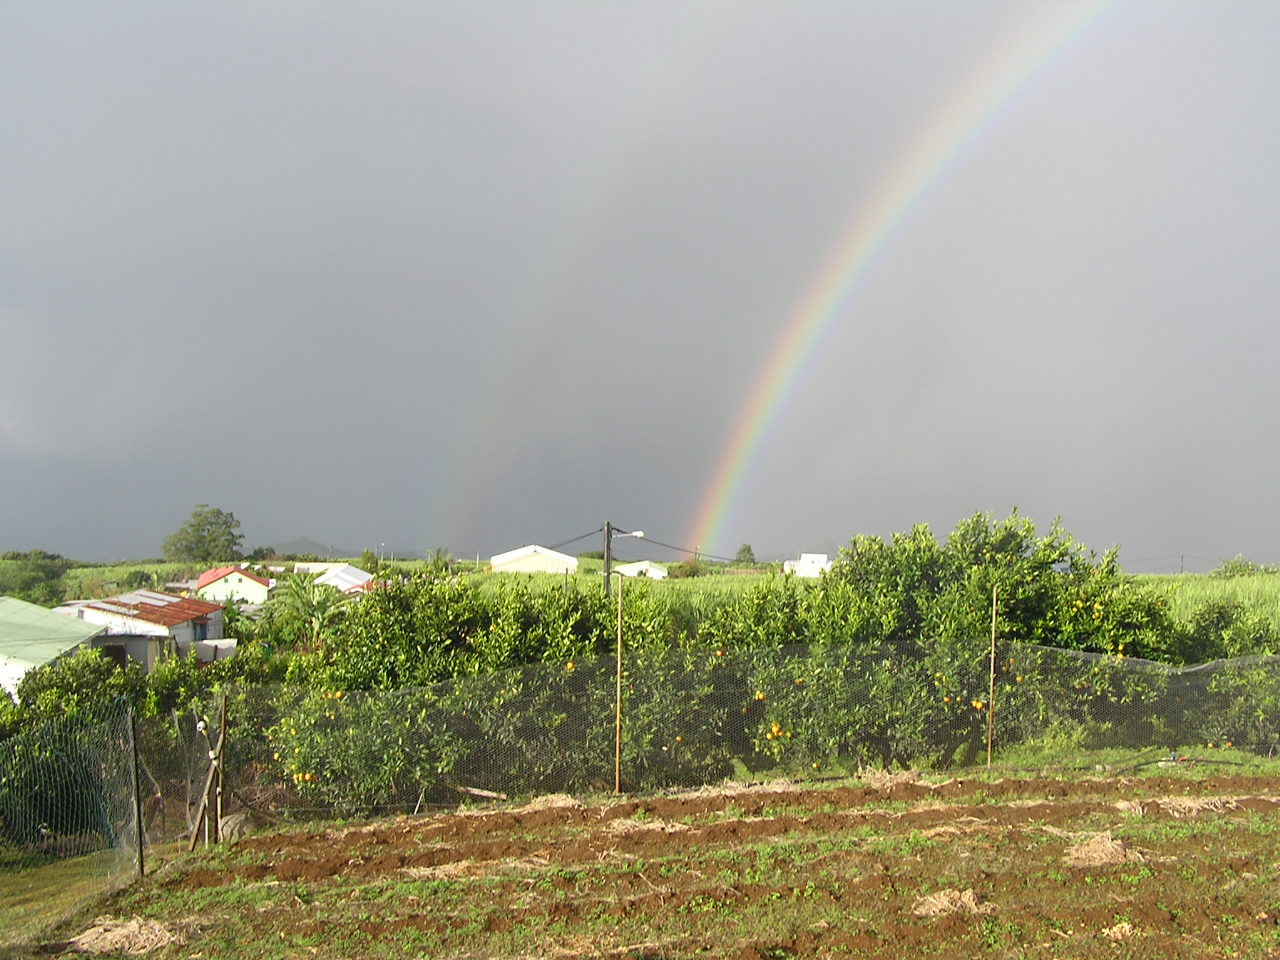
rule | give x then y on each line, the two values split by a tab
479	275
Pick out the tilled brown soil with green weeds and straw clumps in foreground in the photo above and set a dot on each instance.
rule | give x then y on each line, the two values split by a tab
1165	866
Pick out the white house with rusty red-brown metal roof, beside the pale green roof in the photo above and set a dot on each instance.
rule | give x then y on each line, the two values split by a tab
184	624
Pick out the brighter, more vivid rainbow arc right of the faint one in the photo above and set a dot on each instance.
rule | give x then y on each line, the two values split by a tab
926	159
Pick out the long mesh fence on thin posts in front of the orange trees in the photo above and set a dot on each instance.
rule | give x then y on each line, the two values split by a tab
689	716
